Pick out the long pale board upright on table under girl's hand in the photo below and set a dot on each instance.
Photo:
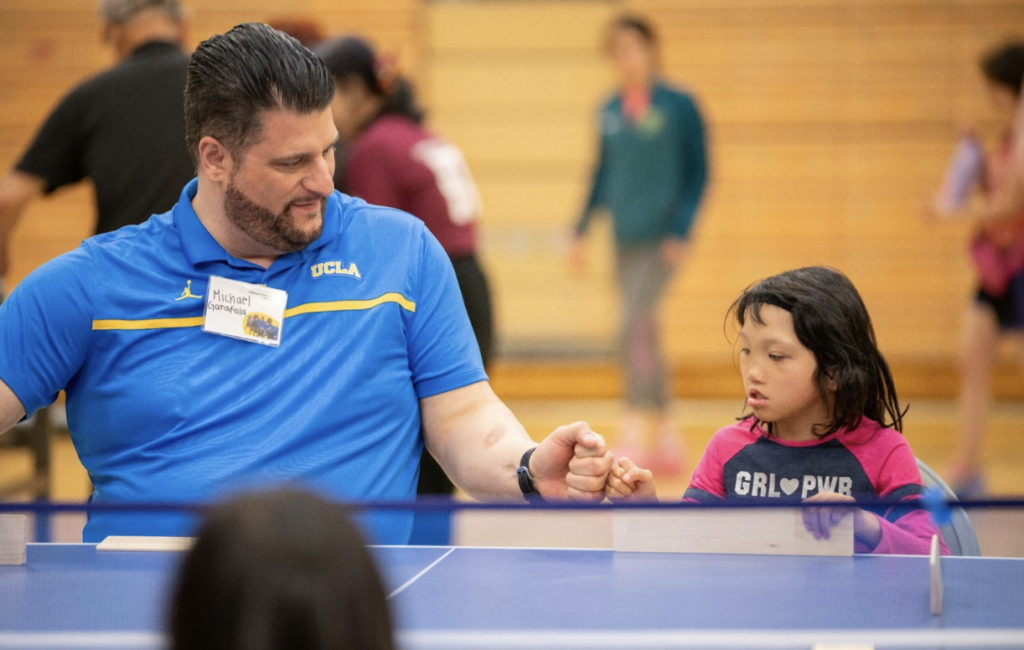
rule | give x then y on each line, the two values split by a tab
733	531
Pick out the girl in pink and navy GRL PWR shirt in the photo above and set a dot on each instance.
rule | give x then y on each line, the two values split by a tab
825	420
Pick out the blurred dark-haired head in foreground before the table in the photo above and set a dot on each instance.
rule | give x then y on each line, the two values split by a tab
280	571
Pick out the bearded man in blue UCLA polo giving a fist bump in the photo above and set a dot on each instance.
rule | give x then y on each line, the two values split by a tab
169	400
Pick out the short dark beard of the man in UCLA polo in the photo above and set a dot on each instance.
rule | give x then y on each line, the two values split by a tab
274	231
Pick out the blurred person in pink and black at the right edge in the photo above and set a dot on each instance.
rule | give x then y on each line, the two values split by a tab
998	253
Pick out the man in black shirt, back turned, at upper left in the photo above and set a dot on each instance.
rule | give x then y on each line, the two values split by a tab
124	128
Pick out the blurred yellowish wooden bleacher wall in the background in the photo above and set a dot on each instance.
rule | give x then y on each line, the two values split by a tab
830	123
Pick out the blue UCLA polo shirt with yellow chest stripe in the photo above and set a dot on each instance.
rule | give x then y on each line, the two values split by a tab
161	411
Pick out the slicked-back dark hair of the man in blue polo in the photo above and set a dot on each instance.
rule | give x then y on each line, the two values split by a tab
235	77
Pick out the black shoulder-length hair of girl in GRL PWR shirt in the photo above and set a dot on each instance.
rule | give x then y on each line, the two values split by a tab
832	322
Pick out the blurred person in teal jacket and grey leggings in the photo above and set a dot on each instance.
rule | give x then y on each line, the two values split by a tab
651	177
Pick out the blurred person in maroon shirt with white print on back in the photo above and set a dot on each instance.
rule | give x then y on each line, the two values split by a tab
394	161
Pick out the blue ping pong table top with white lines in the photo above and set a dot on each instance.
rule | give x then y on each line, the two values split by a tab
74	596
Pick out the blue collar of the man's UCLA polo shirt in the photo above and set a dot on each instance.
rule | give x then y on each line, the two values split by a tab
200	247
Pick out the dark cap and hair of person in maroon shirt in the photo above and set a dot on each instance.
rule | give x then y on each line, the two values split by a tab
351	57
